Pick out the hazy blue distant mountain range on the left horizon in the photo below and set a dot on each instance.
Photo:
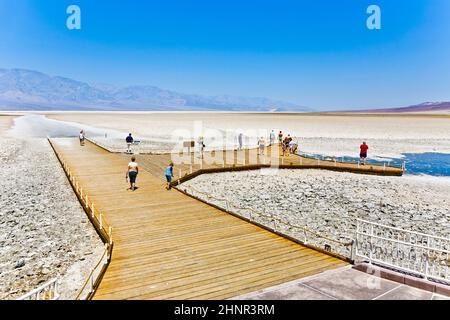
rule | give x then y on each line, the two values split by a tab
31	90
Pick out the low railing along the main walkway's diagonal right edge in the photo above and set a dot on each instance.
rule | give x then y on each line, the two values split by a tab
301	234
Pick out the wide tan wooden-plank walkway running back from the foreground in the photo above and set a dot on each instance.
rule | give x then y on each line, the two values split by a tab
170	246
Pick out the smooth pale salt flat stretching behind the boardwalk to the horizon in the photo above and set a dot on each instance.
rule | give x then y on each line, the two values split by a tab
332	134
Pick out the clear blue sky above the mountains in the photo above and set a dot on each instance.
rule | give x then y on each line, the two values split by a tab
314	53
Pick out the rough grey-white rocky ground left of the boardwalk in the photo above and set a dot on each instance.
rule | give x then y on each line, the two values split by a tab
44	233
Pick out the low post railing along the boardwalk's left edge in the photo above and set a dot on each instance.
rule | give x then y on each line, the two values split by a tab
101	225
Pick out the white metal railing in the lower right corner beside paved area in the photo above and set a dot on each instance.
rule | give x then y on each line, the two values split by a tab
413	252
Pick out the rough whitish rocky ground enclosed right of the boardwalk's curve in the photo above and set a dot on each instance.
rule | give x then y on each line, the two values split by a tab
330	202
